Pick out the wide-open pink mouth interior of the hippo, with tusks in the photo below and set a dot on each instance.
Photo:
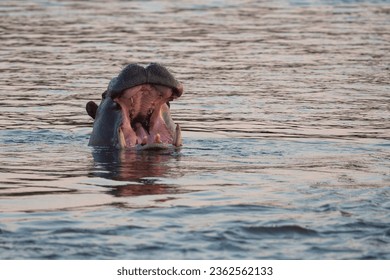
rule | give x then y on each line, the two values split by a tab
146	118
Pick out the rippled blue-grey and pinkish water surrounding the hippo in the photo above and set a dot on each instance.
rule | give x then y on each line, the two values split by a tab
286	127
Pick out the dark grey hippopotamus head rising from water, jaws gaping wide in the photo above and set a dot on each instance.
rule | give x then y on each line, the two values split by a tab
134	112
